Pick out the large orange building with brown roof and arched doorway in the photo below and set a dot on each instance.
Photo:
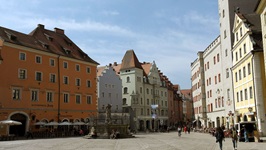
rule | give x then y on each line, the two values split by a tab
44	77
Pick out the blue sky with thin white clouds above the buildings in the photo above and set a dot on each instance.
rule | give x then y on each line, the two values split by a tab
167	32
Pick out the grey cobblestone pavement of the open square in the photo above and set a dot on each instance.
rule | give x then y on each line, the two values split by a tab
142	141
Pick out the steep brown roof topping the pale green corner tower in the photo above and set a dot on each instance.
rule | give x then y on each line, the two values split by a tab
130	60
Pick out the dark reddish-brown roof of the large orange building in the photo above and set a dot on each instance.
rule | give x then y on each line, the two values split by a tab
46	40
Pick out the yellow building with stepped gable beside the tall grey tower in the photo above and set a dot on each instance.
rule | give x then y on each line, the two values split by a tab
248	69
